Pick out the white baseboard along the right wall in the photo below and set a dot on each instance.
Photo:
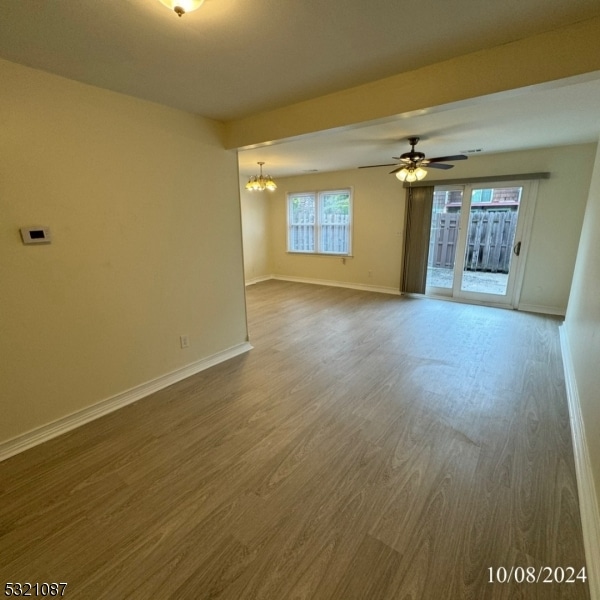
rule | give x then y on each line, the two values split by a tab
588	500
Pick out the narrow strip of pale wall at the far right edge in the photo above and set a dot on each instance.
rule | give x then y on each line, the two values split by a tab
582	324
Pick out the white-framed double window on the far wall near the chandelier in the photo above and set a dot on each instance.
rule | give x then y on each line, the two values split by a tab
320	222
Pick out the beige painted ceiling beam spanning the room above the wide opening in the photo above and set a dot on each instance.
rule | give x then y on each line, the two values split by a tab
566	52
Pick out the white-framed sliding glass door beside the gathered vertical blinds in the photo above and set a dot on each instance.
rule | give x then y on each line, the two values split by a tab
477	241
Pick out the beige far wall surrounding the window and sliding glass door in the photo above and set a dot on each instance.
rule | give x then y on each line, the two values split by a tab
379	223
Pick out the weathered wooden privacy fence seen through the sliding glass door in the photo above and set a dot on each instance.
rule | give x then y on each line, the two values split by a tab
490	238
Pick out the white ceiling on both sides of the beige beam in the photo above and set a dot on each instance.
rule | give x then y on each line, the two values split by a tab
232	58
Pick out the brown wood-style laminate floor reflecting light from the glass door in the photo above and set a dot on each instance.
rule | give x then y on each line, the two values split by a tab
370	447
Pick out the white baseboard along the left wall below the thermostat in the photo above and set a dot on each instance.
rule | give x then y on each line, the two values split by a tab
51	430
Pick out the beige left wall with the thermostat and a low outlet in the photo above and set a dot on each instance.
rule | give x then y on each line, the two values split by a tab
142	240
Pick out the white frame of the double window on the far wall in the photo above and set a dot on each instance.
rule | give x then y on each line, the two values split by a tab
317	226
